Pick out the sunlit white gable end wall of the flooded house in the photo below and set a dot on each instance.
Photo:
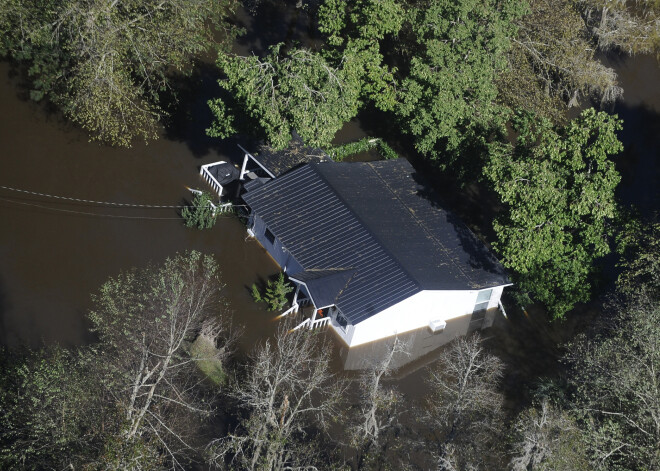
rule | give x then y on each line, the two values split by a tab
413	313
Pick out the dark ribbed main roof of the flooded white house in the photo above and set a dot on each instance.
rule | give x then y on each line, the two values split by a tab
381	221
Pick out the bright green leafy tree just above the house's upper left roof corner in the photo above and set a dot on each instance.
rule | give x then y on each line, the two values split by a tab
284	92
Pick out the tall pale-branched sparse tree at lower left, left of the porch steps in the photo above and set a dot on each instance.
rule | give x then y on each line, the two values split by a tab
146	321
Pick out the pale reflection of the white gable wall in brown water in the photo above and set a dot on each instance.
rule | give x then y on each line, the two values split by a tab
420	344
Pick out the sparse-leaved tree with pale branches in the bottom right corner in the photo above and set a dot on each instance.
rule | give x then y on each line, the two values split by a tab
615	377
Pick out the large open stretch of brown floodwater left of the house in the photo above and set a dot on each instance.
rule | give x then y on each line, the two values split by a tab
53	255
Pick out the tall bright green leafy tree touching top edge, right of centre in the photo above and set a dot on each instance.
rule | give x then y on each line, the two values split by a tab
447	99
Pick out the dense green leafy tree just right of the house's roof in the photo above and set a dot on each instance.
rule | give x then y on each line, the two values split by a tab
558	186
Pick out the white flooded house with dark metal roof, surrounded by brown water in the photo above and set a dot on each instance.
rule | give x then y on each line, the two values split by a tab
366	244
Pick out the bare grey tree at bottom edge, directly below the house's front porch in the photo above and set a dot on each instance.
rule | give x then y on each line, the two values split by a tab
287	396
